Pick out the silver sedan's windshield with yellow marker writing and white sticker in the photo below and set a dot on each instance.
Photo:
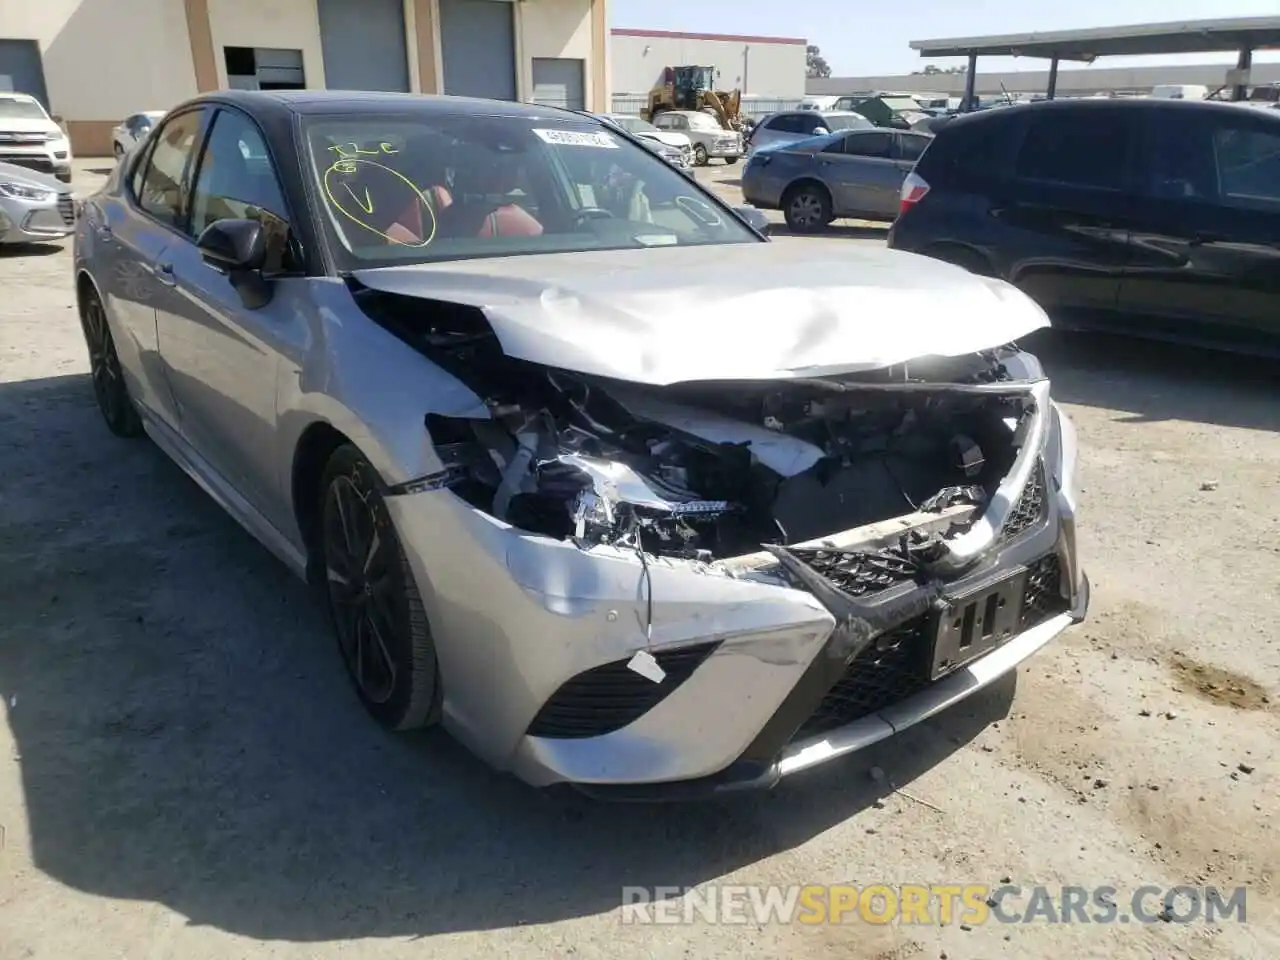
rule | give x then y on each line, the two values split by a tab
397	190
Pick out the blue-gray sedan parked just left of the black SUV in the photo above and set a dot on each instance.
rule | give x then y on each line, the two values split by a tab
856	173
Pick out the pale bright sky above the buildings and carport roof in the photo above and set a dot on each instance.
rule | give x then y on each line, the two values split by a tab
871	38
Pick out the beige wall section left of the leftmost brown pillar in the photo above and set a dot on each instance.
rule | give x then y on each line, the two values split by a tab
88	76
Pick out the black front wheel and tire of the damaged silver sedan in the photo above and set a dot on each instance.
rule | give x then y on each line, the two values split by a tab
378	616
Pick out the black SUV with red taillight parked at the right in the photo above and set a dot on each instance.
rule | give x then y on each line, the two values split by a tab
1159	218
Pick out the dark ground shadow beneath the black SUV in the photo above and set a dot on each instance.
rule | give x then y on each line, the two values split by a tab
1153	381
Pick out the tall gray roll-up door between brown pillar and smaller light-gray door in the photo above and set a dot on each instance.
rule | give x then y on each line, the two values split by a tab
478	39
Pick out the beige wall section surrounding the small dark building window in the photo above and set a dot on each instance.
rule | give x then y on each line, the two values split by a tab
289	25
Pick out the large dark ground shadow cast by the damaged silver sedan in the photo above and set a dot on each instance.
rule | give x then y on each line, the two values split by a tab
186	734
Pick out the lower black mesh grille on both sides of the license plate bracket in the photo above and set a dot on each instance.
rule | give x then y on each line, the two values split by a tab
897	665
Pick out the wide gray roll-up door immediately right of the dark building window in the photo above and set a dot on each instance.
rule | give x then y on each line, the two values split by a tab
364	44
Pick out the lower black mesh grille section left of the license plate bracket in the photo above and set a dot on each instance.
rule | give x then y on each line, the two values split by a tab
894	668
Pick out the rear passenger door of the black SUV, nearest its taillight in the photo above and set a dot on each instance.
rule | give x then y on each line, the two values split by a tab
1067	212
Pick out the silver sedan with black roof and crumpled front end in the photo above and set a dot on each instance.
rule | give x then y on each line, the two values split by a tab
620	492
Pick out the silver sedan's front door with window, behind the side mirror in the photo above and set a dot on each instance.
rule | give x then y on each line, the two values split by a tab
223	356
